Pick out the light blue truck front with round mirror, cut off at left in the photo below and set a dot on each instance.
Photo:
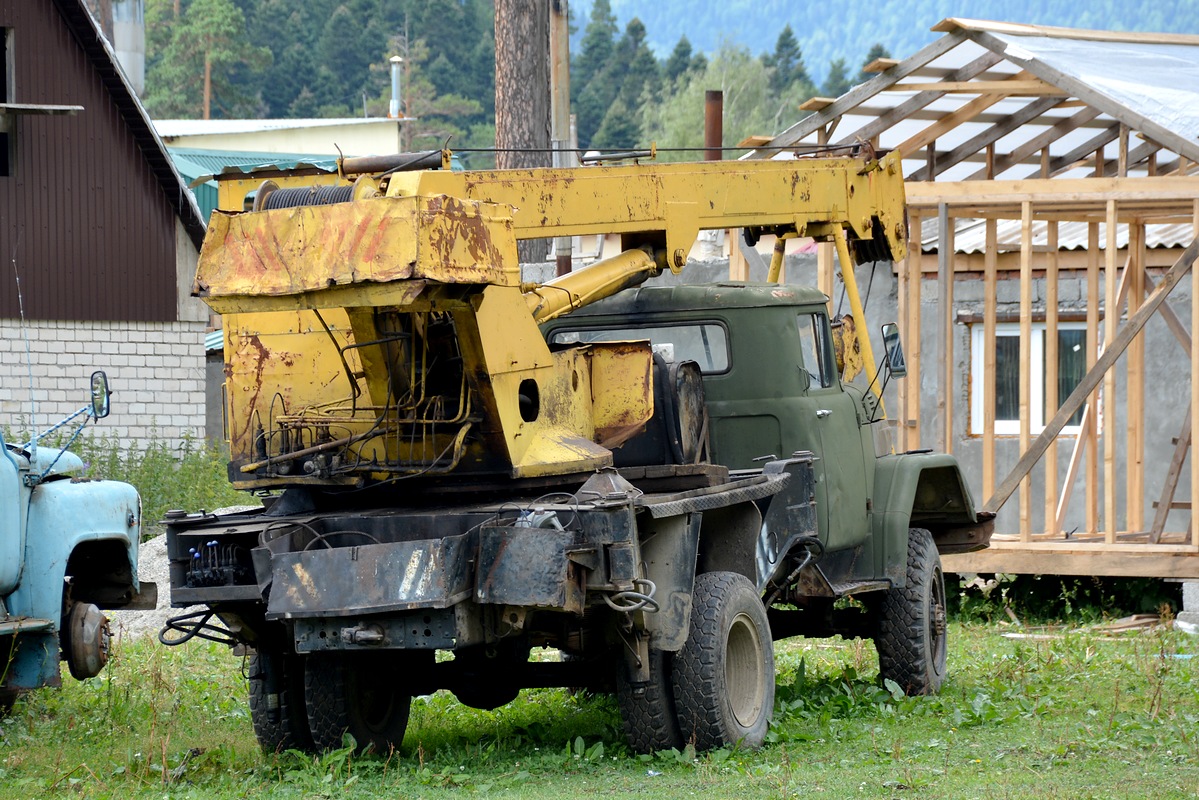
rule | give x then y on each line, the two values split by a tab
69	549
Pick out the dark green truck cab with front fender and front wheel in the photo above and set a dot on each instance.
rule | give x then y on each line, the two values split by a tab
772	390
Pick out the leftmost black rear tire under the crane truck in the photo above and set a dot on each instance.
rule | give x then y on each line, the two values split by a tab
276	701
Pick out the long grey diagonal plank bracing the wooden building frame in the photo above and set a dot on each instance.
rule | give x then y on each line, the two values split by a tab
1114	350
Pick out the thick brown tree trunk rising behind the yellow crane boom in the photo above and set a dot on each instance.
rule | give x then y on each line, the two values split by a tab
522	94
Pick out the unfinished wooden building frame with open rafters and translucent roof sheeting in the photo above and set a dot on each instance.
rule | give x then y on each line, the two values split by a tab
1023	135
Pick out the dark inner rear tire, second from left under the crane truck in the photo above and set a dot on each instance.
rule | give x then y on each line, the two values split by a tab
361	695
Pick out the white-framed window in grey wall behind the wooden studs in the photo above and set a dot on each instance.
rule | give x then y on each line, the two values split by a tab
1071	370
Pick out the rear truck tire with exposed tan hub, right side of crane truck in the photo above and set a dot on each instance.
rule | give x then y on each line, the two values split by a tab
725	676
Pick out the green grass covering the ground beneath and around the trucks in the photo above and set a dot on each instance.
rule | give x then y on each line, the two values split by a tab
1079	717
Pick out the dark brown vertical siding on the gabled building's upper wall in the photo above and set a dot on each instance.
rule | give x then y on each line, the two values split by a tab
82	214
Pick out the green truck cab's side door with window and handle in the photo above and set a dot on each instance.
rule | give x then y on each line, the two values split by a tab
829	426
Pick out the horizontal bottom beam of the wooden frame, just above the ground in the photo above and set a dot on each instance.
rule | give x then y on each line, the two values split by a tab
1101	563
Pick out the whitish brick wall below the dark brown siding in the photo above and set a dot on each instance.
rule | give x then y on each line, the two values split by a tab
155	370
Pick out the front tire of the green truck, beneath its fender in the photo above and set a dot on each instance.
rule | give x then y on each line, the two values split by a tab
913	636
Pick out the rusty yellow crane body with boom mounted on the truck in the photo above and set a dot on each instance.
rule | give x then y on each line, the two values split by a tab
388	335
